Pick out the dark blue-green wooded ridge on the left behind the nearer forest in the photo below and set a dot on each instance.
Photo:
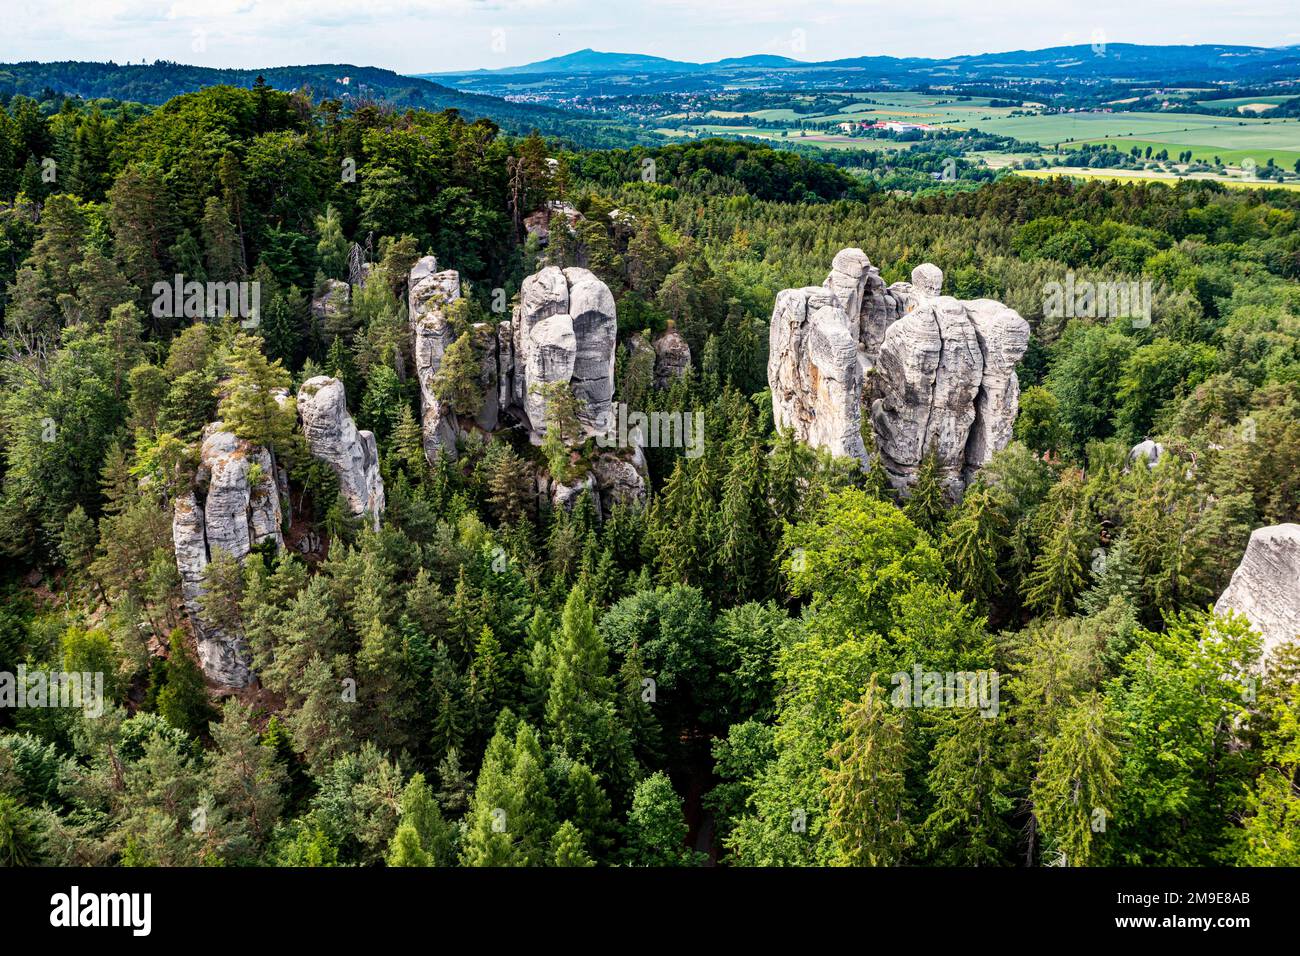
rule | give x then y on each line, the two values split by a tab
158	83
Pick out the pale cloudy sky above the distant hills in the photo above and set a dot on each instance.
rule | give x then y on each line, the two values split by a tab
435	36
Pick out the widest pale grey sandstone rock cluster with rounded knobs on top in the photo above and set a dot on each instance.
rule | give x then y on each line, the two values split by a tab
942	370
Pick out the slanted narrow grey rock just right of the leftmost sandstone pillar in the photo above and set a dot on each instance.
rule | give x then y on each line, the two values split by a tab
333	438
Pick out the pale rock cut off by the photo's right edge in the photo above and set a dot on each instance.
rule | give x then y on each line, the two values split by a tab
1266	587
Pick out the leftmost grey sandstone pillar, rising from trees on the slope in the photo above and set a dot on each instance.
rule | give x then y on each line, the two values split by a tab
235	507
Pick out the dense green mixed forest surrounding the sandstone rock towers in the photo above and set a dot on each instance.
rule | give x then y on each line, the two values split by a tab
487	681
